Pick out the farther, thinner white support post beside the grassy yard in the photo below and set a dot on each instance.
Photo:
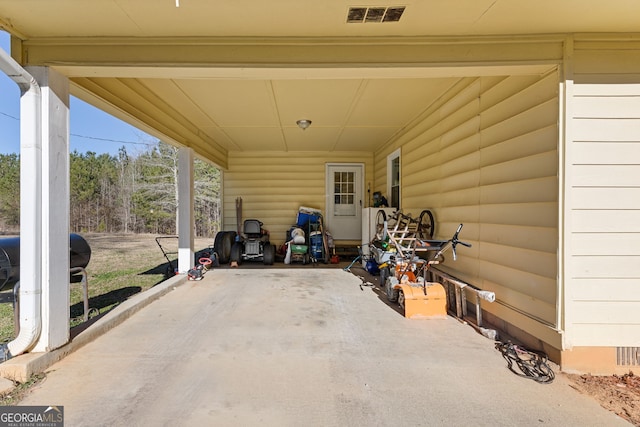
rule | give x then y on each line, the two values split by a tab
185	213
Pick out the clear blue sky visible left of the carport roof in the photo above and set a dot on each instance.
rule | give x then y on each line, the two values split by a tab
90	128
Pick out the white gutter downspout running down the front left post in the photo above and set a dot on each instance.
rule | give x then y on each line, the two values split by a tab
30	213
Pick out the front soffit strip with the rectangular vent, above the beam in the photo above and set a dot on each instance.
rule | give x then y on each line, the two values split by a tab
157	18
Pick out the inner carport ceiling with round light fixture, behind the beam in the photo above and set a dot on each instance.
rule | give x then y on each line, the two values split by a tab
244	114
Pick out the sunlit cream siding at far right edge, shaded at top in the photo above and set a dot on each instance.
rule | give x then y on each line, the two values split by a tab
603	204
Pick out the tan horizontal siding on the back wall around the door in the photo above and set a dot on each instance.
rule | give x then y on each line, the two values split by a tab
273	185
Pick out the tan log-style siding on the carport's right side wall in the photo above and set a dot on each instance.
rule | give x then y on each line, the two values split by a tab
486	155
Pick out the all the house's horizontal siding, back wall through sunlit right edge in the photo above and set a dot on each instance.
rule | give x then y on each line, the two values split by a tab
549	201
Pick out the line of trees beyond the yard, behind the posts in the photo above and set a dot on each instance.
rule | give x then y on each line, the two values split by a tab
122	193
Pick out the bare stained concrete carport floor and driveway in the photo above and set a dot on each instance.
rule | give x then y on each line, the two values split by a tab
298	347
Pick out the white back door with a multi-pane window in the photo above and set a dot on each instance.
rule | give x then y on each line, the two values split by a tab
343	215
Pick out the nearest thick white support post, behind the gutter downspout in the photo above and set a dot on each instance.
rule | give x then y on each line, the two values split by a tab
55	208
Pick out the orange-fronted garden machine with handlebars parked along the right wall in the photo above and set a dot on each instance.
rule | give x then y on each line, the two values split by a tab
406	275
